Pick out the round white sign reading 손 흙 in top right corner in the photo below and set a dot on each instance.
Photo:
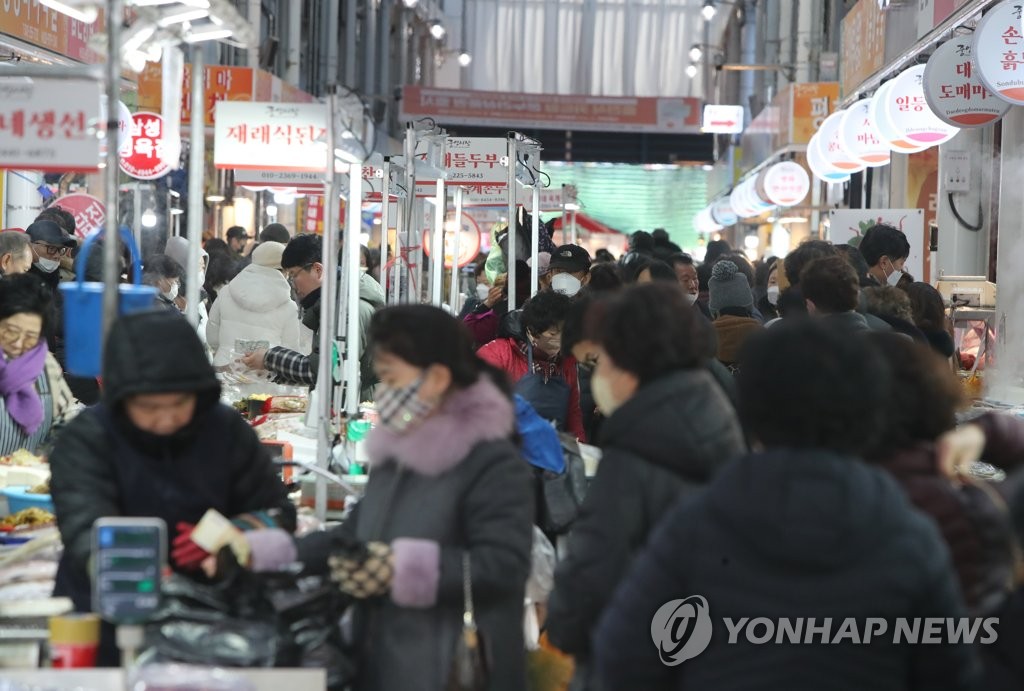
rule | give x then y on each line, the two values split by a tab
999	53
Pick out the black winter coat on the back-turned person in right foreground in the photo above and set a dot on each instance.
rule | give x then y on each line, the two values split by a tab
788	535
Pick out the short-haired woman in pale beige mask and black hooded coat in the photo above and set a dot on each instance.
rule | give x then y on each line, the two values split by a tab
669	428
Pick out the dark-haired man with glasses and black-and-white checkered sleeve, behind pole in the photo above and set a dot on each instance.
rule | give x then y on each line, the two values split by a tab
302	264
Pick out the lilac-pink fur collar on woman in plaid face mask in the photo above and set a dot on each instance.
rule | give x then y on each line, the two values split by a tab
467	418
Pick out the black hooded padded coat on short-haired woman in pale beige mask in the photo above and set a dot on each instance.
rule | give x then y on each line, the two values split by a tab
664	443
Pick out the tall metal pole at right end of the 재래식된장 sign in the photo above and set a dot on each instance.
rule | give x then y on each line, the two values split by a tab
329	260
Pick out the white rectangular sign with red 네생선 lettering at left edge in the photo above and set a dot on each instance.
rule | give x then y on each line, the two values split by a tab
50	125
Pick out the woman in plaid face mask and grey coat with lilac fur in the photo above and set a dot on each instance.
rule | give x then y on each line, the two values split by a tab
448	490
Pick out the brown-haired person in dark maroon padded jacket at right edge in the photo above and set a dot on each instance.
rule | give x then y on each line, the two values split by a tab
920	412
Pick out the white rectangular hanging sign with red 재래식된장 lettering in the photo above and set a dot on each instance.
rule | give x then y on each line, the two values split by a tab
271	137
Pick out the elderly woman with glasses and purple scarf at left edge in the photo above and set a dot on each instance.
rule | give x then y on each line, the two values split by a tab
35	398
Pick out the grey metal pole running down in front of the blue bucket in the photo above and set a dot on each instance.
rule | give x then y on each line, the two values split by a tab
115	16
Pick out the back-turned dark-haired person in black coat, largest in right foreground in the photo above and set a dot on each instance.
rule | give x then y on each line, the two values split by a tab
801	529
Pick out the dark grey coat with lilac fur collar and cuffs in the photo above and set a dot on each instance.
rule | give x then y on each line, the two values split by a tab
455	485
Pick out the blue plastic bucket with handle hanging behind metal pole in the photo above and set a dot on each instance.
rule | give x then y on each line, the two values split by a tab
84	309
